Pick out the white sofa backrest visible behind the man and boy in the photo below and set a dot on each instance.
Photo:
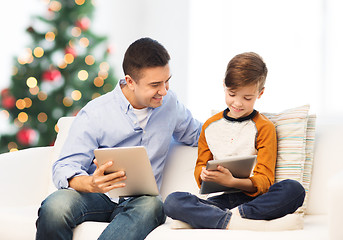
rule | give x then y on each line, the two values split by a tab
178	174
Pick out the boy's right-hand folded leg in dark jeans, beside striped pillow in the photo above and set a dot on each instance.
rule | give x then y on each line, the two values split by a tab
283	198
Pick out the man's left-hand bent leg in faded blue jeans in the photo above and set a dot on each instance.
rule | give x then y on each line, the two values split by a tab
64	209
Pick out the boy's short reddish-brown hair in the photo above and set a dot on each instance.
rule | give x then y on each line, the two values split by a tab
246	69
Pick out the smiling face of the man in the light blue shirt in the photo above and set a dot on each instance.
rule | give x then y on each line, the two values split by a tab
150	88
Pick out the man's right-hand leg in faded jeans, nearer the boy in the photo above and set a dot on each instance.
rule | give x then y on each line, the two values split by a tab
135	218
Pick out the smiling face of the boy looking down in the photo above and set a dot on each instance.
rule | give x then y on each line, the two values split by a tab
241	101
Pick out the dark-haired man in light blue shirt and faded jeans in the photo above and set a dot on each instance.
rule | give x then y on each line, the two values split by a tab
140	111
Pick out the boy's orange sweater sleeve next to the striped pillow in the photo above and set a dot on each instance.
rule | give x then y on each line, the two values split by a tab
266	146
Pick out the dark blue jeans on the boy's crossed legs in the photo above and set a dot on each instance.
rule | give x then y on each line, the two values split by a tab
282	198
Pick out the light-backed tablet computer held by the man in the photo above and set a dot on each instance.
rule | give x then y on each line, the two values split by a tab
140	179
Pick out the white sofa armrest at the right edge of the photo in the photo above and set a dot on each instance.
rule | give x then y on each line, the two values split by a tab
335	208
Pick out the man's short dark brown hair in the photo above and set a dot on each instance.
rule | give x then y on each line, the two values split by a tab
144	53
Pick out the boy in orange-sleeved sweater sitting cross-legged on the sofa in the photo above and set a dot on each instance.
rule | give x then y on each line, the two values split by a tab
238	130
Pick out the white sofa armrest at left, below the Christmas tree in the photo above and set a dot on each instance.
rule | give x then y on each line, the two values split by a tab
25	176
